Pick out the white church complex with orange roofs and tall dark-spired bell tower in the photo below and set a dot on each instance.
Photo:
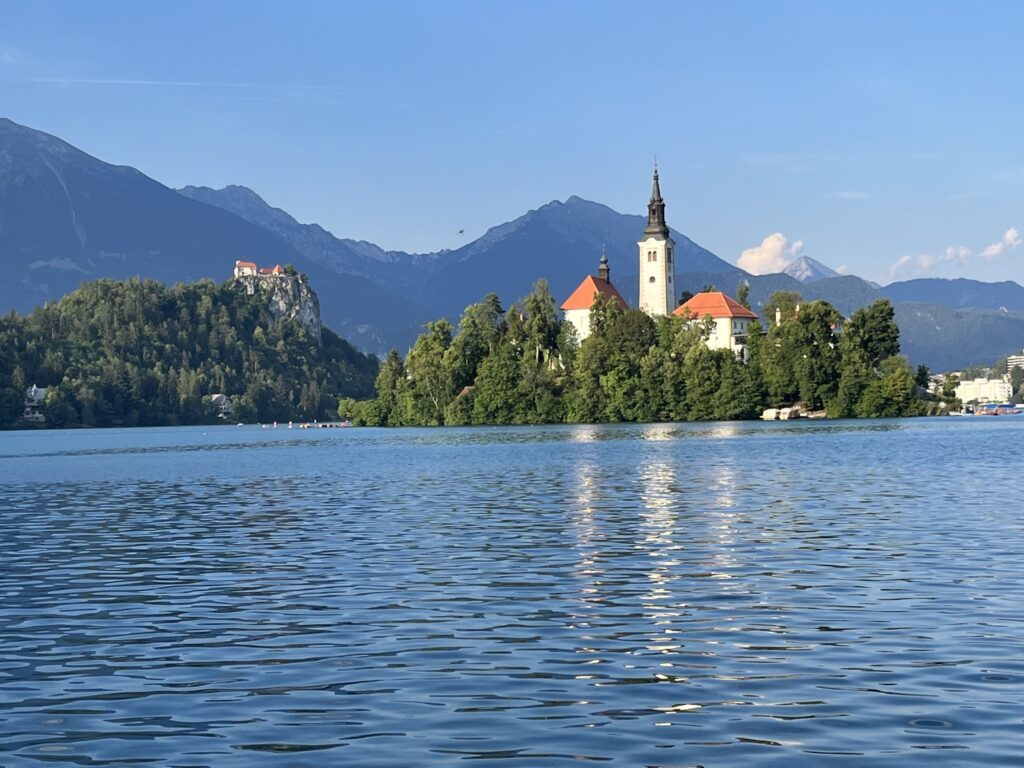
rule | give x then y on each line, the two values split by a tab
658	288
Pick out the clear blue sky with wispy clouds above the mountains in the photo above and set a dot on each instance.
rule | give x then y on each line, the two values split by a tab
884	139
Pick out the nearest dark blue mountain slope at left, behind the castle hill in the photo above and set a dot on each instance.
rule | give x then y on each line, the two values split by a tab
67	218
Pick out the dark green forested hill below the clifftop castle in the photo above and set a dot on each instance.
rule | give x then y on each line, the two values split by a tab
138	353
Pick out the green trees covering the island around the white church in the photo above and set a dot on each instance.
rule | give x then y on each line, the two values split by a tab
525	367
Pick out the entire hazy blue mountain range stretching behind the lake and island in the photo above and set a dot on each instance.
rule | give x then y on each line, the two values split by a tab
67	218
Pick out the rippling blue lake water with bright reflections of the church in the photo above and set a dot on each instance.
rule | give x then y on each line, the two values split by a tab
785	594
